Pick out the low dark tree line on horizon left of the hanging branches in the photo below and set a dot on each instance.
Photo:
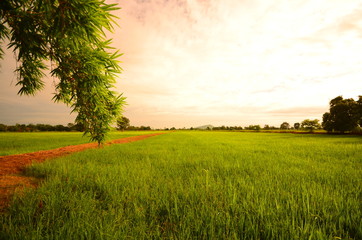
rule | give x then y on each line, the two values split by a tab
40	128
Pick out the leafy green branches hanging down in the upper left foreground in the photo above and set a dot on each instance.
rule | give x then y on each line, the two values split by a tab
70	36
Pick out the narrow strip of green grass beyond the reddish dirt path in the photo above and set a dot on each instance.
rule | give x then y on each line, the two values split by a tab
16	143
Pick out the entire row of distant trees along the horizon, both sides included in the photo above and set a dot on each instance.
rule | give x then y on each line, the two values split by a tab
345	115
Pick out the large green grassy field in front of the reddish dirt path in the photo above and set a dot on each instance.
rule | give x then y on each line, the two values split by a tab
197	185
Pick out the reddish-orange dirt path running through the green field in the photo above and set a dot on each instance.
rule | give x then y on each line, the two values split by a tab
11	166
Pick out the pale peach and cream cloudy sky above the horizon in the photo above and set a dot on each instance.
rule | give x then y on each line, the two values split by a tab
189	63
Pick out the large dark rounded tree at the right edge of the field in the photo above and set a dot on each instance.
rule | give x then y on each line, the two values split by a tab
344	115
